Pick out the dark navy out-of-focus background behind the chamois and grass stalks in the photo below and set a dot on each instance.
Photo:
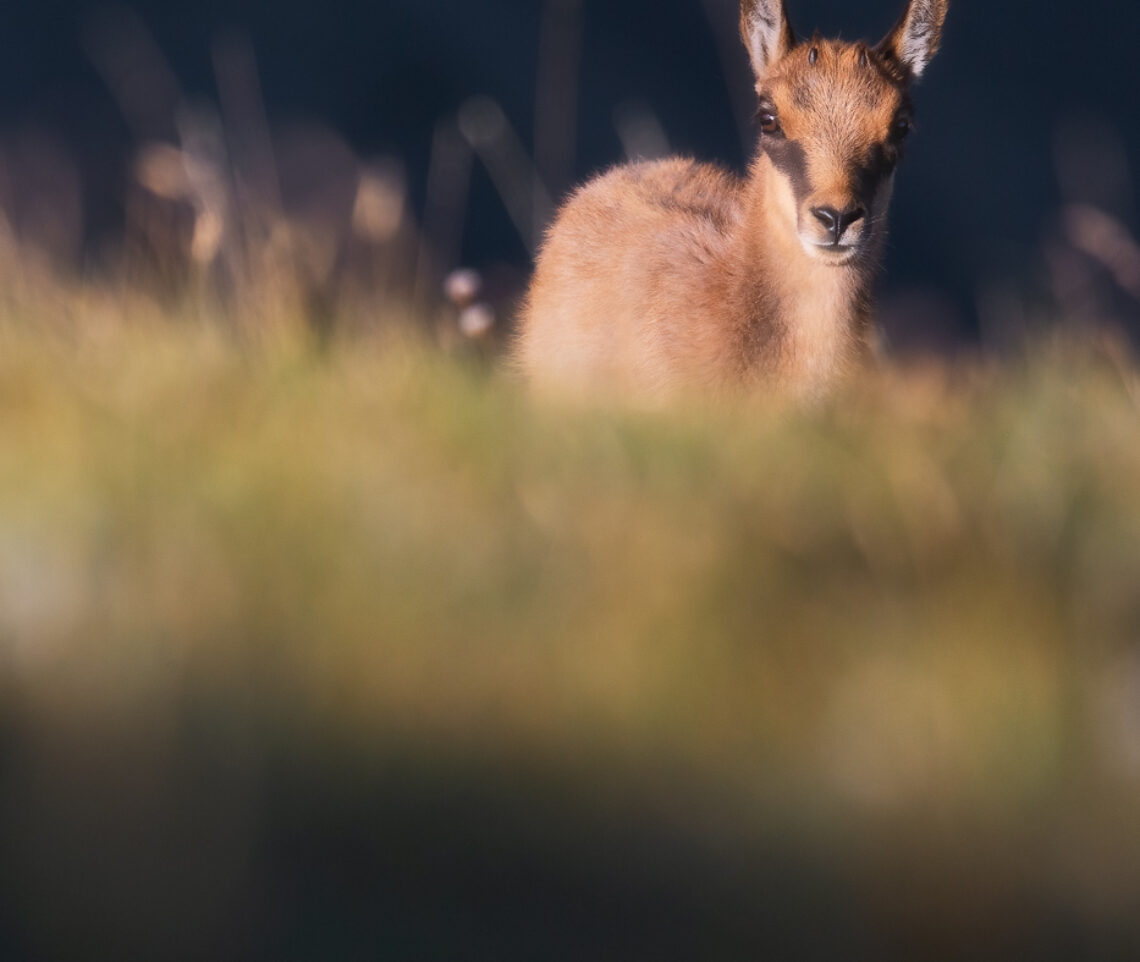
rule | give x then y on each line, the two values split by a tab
1016	85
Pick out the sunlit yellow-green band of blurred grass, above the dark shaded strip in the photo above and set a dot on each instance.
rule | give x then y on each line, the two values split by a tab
909	614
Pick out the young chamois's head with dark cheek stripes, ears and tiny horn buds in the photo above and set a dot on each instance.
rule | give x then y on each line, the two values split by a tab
834	118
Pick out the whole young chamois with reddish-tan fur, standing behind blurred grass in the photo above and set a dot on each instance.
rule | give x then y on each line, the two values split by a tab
677	276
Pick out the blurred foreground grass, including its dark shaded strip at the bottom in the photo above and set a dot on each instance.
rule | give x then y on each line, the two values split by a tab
349	650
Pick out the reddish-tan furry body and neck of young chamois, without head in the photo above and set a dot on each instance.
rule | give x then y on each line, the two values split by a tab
667	276
